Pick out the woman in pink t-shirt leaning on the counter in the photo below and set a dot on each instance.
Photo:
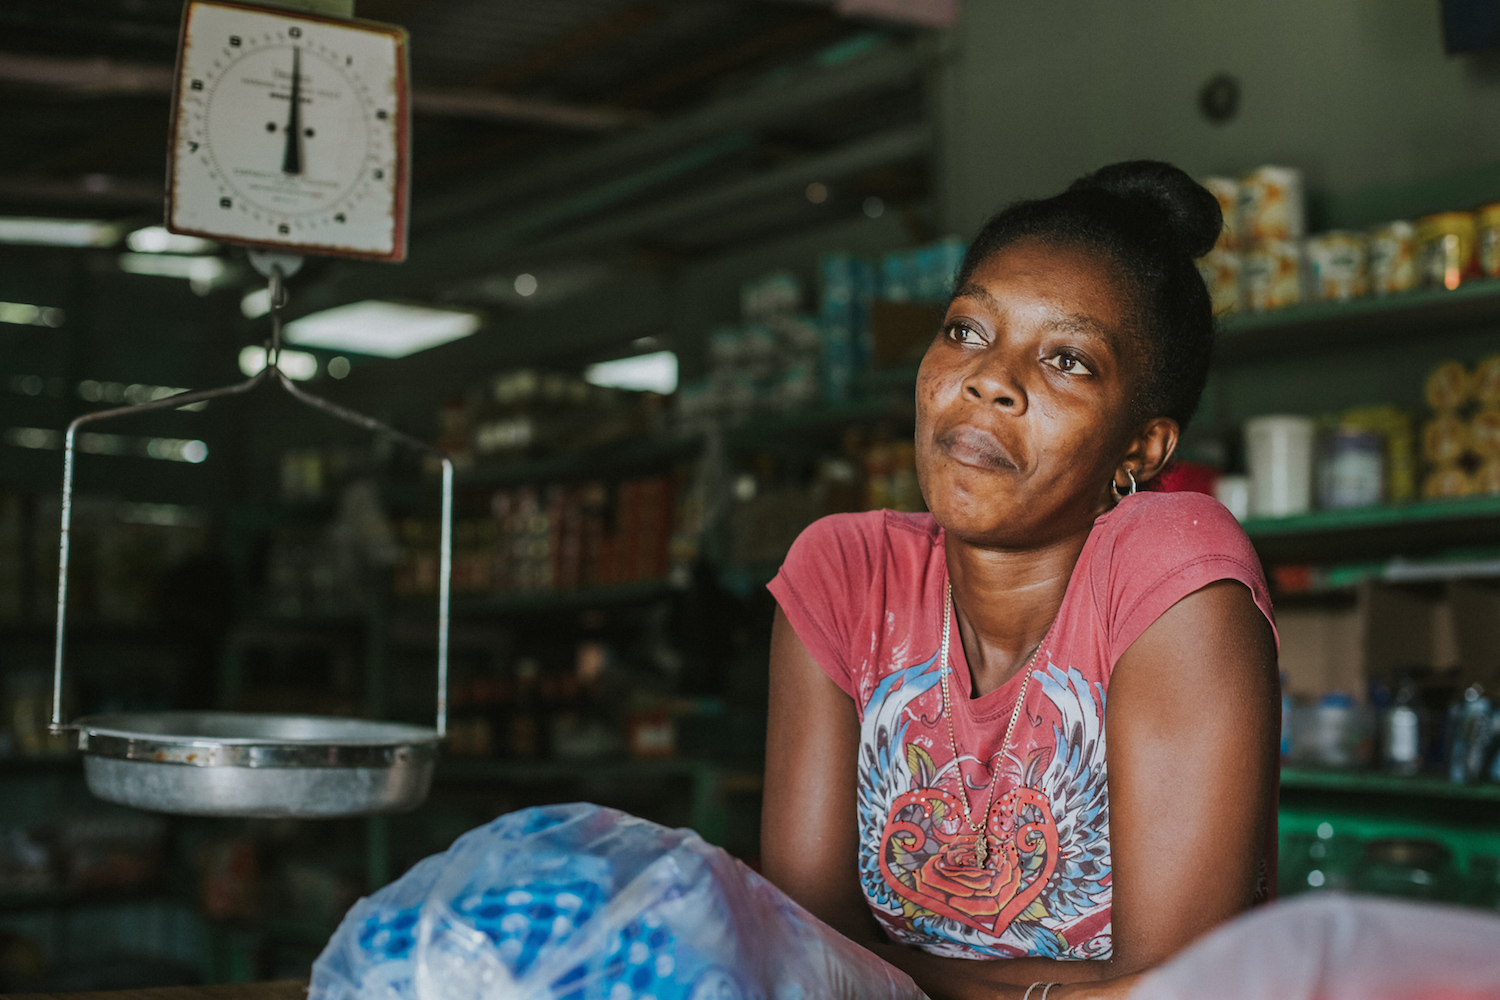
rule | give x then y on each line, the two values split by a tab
944	810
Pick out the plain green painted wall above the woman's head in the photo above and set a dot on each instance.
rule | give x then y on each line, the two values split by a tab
1355	92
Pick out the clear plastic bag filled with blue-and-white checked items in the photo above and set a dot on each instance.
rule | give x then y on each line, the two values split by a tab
586	903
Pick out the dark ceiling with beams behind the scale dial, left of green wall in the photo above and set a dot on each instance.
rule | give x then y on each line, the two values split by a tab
559	134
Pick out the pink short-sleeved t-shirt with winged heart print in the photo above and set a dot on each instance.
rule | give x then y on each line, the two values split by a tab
865	594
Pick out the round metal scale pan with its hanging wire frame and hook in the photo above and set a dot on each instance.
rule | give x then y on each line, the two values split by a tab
236	764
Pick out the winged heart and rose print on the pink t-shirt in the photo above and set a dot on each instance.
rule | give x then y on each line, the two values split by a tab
1046	890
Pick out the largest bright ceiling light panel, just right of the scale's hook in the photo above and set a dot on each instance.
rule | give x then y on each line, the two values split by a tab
380	328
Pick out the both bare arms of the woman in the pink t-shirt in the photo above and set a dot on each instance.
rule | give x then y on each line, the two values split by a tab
1192	729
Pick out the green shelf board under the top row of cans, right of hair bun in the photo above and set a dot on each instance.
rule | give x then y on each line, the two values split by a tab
1358	323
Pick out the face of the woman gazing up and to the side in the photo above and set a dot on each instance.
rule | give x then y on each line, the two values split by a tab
1024	400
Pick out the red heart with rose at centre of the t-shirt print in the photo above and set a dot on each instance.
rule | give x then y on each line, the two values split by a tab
950	881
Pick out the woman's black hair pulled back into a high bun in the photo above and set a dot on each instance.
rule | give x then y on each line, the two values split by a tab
1153	221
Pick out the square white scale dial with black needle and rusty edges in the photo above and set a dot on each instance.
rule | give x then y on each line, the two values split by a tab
290	131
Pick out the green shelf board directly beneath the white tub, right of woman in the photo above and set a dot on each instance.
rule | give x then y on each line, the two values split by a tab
1331	536
